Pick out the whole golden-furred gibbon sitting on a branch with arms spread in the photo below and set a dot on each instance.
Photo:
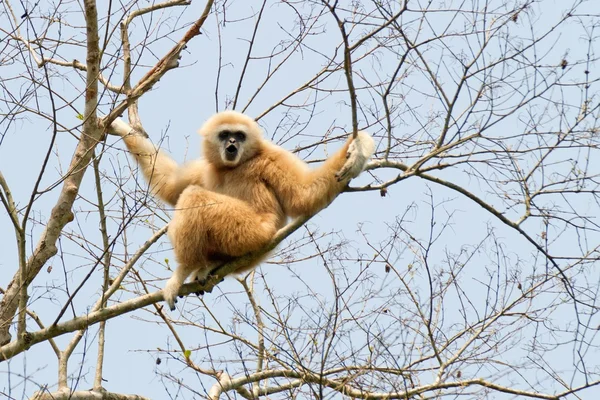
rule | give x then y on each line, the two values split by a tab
240	194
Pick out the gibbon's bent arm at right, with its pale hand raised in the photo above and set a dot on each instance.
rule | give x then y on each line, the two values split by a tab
302	191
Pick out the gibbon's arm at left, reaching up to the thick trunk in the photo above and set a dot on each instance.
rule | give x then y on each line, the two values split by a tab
166	179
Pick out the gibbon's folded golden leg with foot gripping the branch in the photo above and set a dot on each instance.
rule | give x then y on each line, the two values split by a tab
207	225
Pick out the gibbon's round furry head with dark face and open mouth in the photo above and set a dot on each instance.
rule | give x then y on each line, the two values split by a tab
230	138
